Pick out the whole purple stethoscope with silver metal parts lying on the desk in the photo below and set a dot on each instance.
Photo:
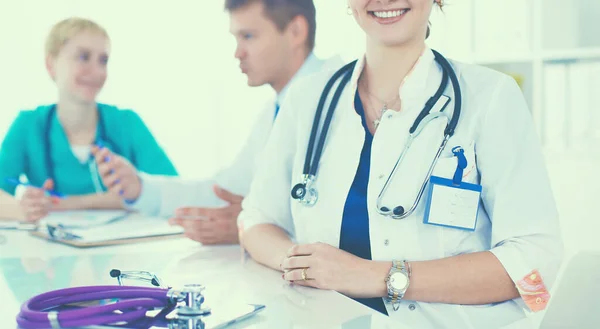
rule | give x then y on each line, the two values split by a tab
131	306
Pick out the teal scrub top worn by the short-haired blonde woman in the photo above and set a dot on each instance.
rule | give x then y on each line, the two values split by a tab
23	151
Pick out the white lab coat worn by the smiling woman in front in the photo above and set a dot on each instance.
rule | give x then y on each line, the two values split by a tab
517	219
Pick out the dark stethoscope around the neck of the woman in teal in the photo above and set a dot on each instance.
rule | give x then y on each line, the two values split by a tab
101	140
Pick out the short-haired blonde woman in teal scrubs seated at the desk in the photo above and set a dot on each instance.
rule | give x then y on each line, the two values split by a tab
51	145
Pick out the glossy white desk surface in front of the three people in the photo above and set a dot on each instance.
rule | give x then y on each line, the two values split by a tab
30	266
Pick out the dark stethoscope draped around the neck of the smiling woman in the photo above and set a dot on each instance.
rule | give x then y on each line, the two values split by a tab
307	194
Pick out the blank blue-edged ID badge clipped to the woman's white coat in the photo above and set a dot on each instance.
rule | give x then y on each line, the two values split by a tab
452	202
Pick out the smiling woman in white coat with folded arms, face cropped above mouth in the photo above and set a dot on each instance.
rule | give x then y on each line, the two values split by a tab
480	248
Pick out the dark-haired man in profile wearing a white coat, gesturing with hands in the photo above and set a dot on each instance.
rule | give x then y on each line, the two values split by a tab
275	41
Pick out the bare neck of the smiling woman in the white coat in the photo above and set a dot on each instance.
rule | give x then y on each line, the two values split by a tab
386	67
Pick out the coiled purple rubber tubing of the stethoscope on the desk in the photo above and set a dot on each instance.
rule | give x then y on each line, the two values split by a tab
134	303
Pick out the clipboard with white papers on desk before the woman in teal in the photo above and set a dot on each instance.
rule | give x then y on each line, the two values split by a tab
126	229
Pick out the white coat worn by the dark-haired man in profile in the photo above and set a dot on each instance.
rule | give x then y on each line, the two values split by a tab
162	195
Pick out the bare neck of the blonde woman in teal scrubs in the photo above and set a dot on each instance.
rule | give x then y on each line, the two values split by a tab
77	118
